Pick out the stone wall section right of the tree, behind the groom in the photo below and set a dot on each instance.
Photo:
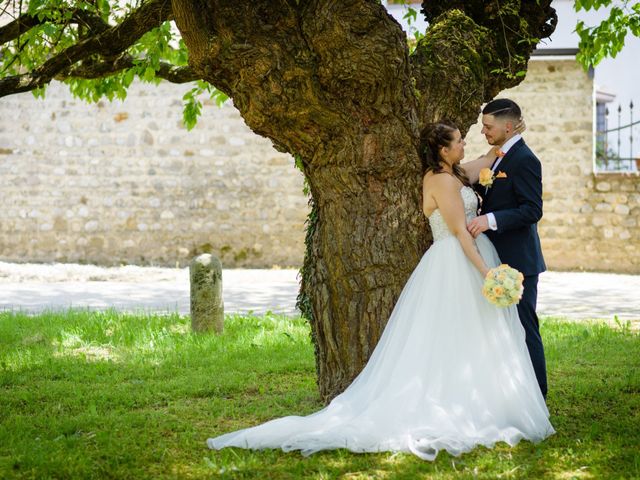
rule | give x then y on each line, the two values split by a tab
591	221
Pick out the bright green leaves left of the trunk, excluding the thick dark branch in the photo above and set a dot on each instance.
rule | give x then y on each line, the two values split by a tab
60	24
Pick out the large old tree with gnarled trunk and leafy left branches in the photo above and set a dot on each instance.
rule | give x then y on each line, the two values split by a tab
333	83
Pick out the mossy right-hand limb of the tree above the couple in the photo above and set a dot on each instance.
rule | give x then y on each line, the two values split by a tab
475	49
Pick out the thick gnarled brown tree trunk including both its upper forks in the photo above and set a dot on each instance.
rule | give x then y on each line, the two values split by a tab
332	83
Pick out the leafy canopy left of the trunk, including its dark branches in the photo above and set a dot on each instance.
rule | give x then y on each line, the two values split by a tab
35	39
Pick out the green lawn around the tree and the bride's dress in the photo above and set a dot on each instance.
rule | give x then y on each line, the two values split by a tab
110	395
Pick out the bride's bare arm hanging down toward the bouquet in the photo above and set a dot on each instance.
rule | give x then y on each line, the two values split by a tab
446	192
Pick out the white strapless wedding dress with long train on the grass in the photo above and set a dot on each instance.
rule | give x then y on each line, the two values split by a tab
450	372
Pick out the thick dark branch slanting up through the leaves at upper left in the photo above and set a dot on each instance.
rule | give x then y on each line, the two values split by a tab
108	43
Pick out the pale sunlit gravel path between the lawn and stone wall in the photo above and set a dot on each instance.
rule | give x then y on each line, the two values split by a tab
36	287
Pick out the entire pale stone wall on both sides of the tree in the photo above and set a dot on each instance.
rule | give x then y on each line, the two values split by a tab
124	182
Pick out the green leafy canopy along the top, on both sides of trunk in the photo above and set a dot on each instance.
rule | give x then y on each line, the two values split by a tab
98	47
